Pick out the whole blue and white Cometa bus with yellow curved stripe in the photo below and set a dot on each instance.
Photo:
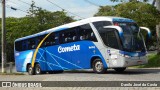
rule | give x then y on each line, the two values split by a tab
97	43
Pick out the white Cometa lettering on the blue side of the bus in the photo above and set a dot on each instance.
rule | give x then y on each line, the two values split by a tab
68	49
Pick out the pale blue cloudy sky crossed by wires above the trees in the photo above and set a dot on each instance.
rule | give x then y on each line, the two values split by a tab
82	8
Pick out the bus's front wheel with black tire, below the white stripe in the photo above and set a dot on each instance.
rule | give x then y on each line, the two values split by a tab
98	66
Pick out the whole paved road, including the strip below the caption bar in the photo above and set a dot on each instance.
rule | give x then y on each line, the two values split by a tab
89	75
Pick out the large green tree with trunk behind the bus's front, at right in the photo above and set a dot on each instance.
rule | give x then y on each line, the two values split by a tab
144	14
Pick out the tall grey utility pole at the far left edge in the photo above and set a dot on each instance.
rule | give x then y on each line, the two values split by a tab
3	41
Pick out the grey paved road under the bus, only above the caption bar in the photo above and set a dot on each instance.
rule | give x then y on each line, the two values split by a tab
89	75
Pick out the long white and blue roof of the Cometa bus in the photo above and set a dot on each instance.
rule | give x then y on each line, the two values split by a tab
77	23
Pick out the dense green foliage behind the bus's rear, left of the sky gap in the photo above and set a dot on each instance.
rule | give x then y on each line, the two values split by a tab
38	20
